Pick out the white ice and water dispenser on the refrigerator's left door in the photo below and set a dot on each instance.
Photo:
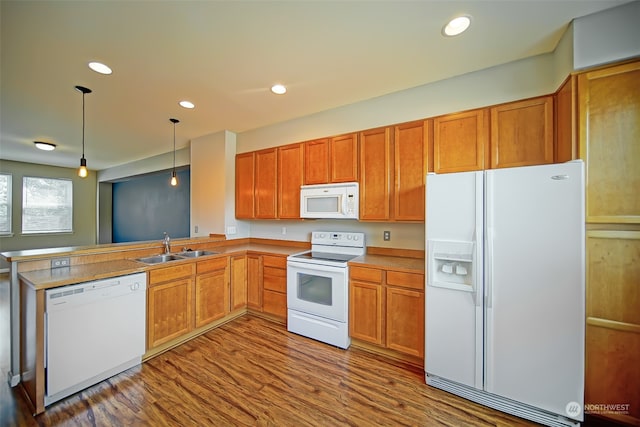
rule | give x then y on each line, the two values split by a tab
451	264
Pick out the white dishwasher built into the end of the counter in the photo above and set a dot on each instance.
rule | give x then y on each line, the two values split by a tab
94	330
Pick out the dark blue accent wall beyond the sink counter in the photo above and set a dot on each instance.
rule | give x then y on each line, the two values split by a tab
145	207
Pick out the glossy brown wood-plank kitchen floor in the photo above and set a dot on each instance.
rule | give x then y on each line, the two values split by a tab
253	372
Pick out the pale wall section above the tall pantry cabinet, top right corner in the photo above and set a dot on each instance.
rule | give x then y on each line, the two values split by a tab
607	36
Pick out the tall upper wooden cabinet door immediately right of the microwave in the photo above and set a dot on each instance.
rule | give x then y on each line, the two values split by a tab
375	174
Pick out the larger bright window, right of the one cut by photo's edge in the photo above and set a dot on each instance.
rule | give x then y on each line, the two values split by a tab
47	205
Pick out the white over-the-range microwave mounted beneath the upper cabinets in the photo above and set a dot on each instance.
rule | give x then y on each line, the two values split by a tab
330	201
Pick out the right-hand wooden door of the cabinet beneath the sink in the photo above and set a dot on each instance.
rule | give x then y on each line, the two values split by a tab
211	296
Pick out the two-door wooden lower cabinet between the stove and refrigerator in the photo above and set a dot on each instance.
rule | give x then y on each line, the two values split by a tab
386	308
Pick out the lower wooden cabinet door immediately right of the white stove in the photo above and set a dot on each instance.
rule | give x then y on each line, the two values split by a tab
365	311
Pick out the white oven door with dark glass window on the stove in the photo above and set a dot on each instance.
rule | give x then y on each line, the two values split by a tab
318	289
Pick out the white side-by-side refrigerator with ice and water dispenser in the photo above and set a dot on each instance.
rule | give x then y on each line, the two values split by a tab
505	289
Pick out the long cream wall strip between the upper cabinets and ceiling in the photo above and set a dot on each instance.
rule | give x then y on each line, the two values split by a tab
516	80
